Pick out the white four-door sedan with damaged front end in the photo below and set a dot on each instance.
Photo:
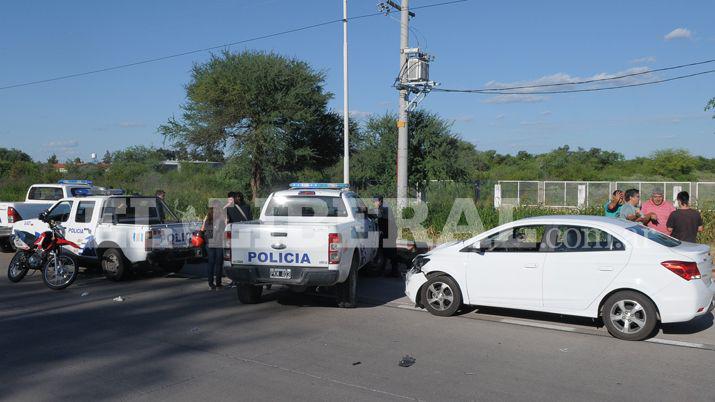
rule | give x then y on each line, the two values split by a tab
630	276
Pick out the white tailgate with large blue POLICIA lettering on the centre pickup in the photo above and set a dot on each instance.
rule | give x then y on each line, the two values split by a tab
280	245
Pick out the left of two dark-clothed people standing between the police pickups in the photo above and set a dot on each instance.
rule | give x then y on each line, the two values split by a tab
212	231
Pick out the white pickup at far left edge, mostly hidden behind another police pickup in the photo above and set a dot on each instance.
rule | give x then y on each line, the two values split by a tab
39	197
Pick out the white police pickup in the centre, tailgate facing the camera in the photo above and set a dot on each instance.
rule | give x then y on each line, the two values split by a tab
315	234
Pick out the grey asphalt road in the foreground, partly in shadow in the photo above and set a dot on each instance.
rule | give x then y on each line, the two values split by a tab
172	339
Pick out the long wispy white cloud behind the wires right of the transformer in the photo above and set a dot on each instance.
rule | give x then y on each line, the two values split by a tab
562	81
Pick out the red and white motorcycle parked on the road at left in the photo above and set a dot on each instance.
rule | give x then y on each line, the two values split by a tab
44	252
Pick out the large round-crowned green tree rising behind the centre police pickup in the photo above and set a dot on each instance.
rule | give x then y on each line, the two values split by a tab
267	110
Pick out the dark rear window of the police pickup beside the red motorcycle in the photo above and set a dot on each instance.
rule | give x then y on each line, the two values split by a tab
137	210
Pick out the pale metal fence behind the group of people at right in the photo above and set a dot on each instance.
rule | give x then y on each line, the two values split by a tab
583	194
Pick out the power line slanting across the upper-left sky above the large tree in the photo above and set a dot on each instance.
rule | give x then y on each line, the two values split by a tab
206	49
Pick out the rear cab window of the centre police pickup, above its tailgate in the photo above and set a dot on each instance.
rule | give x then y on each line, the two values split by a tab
306	206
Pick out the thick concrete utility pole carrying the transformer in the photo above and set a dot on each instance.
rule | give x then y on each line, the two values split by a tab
402	138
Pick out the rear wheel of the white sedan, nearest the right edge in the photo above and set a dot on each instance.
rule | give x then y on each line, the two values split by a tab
629	316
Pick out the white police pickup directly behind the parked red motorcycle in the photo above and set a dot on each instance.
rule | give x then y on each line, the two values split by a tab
121	232
